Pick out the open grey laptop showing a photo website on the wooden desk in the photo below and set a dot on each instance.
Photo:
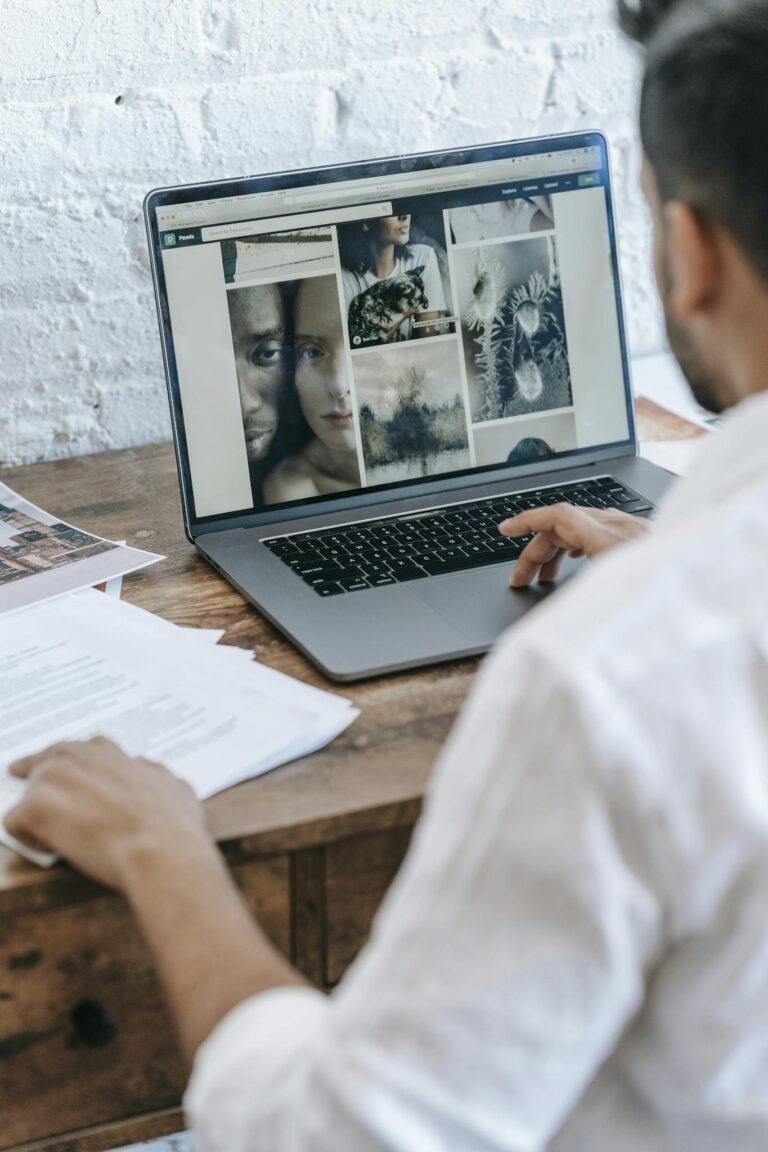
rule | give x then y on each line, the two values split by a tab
371	366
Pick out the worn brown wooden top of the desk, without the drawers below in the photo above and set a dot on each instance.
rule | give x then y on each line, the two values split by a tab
372	777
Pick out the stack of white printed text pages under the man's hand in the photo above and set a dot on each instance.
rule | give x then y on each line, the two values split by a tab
92	665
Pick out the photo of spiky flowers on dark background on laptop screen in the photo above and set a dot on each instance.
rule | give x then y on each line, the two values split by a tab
513	329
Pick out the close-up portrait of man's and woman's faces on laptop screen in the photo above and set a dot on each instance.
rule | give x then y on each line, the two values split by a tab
294	390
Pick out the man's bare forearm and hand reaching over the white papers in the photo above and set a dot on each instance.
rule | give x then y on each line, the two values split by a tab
135	827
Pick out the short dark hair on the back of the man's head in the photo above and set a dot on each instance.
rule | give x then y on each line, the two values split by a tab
704	113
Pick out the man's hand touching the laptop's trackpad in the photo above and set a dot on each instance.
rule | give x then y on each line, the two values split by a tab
565	529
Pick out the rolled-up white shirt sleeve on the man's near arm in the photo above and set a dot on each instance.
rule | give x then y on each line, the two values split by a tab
505	965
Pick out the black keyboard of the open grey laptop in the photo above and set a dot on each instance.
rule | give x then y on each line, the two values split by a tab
457	539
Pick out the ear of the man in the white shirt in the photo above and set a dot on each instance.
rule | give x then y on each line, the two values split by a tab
693	261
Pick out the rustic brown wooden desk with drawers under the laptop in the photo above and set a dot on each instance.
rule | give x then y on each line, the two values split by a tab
88	1057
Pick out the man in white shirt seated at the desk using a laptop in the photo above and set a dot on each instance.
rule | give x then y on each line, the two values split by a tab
576	953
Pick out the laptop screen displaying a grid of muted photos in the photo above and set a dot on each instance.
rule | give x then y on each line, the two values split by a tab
393	329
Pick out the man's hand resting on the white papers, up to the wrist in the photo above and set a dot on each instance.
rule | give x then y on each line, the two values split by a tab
96	808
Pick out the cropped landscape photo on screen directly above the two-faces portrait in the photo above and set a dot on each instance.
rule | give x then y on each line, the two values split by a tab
278	256
